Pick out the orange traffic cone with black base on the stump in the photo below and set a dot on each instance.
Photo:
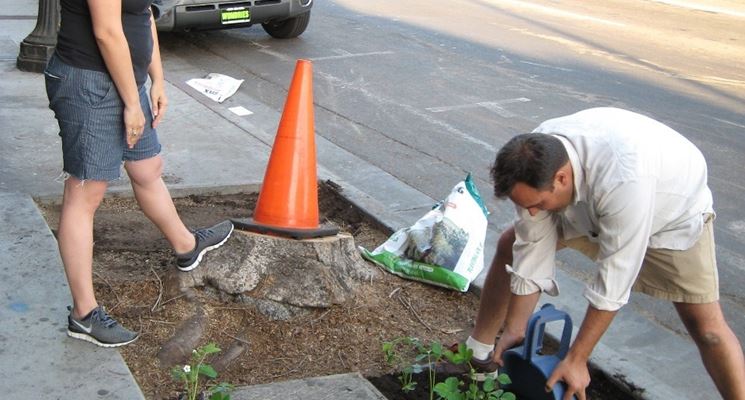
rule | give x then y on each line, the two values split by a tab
288	200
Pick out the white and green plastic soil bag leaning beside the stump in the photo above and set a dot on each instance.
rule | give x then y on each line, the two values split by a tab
445	247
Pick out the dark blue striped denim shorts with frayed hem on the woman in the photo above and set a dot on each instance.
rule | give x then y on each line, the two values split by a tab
90	112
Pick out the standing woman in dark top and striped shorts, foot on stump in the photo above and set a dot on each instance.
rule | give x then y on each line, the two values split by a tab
95	82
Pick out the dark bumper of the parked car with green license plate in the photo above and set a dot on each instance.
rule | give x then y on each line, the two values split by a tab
182	15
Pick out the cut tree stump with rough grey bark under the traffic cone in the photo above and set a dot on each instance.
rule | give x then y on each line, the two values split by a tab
281	277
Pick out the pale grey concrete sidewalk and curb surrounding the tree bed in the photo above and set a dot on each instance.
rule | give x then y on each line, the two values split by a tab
209	149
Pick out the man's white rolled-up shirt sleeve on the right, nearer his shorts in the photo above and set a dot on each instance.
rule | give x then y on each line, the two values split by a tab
625	222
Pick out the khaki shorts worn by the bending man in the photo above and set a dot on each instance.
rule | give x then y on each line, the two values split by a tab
683	276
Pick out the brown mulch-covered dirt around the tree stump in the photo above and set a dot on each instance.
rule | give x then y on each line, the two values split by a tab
131	258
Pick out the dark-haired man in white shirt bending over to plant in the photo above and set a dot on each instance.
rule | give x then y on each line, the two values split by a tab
628	192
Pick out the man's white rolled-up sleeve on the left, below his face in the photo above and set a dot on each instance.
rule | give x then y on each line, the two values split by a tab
533	266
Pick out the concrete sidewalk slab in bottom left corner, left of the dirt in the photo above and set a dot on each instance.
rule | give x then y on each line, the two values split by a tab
37	359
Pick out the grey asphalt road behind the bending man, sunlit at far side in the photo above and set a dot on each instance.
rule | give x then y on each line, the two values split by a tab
428	91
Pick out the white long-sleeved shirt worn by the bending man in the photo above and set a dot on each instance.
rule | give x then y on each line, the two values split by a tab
637	184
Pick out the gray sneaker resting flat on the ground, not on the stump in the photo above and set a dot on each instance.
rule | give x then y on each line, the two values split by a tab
100	329
